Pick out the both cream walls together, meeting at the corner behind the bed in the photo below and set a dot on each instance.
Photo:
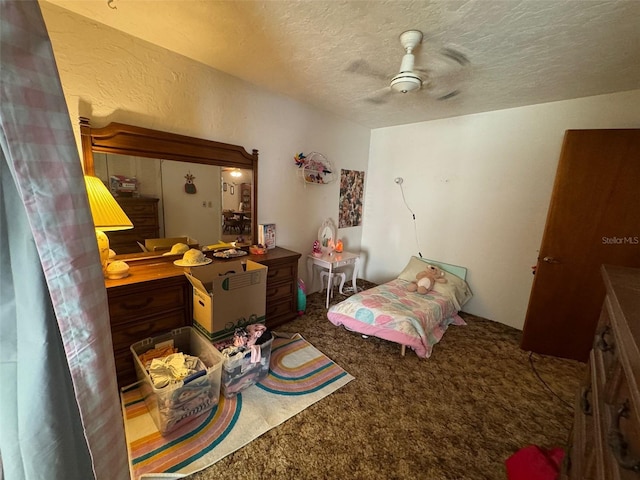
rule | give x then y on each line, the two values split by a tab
479	184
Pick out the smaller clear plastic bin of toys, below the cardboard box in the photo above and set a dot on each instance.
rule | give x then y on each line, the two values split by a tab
239	372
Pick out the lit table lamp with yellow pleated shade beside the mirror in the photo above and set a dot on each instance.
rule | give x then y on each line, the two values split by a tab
107	215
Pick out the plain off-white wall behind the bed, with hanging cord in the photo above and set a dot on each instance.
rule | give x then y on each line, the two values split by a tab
480	187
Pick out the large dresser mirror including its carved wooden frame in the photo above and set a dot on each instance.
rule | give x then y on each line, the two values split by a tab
173	186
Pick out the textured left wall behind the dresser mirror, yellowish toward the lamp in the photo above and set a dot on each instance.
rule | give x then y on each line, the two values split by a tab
109	76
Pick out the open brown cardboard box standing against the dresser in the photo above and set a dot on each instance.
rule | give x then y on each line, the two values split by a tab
227	295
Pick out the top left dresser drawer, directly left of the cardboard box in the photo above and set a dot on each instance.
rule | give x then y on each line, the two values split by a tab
142	303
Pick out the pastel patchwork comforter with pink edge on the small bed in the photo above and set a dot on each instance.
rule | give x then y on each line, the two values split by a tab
391	312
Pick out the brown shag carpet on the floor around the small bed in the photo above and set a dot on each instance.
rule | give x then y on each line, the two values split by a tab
457	415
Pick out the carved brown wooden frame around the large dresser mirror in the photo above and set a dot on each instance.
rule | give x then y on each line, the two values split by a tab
123	139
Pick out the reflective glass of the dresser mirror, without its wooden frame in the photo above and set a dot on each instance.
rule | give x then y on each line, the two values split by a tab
191	198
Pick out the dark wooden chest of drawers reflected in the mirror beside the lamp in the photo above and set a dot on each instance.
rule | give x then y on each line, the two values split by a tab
143	213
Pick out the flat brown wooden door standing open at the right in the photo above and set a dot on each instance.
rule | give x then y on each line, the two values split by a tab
592	220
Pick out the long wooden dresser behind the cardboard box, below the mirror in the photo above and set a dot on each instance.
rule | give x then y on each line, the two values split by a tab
157	297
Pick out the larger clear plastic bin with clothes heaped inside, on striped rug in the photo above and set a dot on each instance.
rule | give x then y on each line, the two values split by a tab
176	404
